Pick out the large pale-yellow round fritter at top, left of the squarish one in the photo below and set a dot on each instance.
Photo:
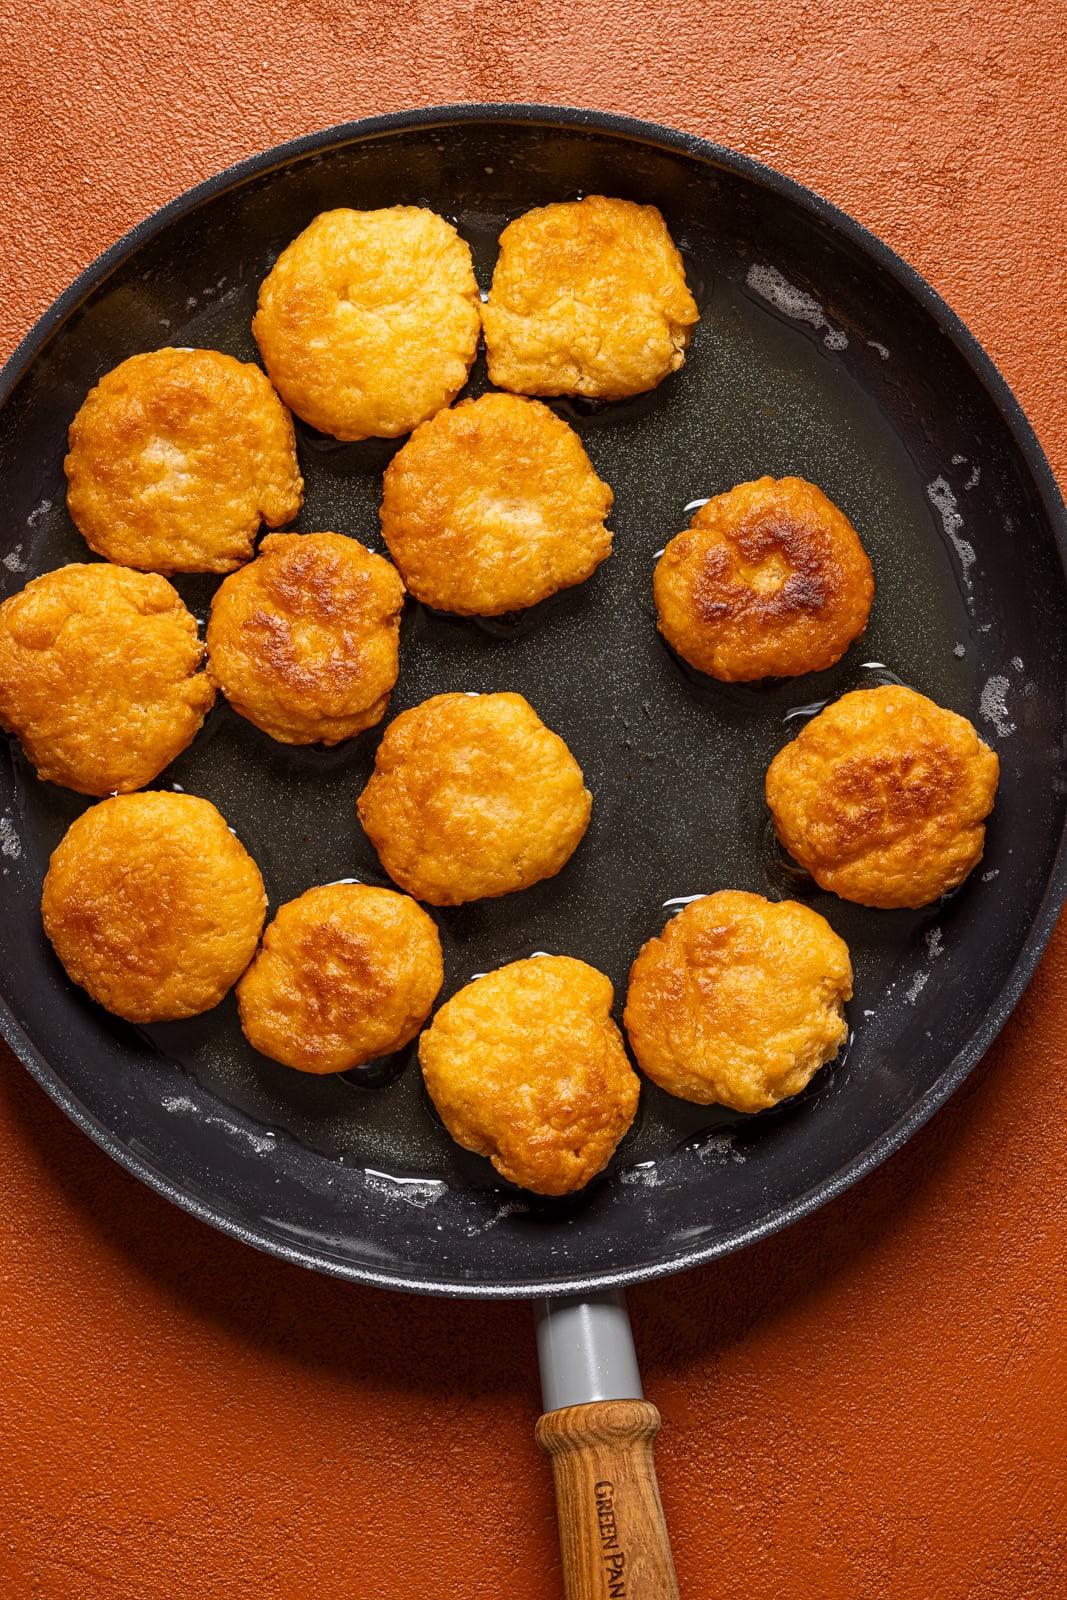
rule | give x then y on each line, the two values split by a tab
369	322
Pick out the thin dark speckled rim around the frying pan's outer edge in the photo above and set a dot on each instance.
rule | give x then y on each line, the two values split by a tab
1007	406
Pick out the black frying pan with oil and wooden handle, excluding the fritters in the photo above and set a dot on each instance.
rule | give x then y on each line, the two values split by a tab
818	354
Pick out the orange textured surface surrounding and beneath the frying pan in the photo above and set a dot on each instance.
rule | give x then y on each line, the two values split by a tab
869	1407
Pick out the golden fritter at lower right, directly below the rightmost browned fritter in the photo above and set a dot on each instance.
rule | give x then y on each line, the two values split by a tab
740	1001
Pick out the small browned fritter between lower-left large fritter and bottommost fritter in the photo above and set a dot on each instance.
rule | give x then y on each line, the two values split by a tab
345	974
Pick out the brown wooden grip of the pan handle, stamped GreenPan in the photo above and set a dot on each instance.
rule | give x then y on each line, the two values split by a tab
613	1535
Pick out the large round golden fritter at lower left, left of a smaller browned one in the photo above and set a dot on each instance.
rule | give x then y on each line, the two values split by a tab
153	906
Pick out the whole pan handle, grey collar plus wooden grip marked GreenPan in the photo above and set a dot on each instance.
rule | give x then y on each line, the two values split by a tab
599	1433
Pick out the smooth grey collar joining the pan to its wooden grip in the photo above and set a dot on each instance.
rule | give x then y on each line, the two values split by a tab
586	1350
